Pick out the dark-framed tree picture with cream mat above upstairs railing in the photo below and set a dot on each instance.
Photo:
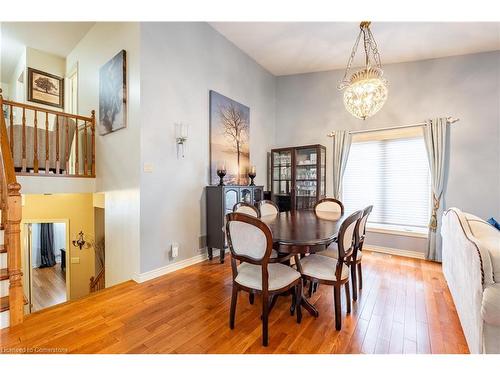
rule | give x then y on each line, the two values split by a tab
45	88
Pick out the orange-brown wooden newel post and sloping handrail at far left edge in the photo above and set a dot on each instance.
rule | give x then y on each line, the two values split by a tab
11	218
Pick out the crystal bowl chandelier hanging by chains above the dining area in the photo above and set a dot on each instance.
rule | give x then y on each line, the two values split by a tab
365	90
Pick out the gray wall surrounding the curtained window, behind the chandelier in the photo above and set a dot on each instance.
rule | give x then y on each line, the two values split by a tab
308	106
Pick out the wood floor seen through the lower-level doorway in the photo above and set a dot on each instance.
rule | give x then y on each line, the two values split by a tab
48	287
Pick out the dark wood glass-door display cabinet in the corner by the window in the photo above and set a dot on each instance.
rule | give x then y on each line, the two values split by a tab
298	176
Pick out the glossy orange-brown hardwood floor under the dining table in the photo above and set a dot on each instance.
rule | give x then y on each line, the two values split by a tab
404	307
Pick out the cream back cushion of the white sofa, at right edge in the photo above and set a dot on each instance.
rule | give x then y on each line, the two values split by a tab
488	239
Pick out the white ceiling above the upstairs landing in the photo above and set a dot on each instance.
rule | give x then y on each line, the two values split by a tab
57	38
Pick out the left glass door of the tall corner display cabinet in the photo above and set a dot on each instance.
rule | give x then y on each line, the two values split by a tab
282	178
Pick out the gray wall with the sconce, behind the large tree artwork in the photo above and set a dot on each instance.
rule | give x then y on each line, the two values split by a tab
180	63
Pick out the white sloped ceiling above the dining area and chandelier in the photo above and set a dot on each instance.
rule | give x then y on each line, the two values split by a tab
300	47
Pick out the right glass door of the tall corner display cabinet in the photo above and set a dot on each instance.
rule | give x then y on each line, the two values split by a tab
306	178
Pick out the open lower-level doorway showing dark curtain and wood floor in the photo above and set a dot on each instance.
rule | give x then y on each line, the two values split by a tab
48	264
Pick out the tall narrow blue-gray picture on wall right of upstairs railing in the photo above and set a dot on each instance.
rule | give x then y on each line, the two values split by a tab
113	94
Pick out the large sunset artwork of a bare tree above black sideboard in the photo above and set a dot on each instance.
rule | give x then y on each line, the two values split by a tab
229	139
